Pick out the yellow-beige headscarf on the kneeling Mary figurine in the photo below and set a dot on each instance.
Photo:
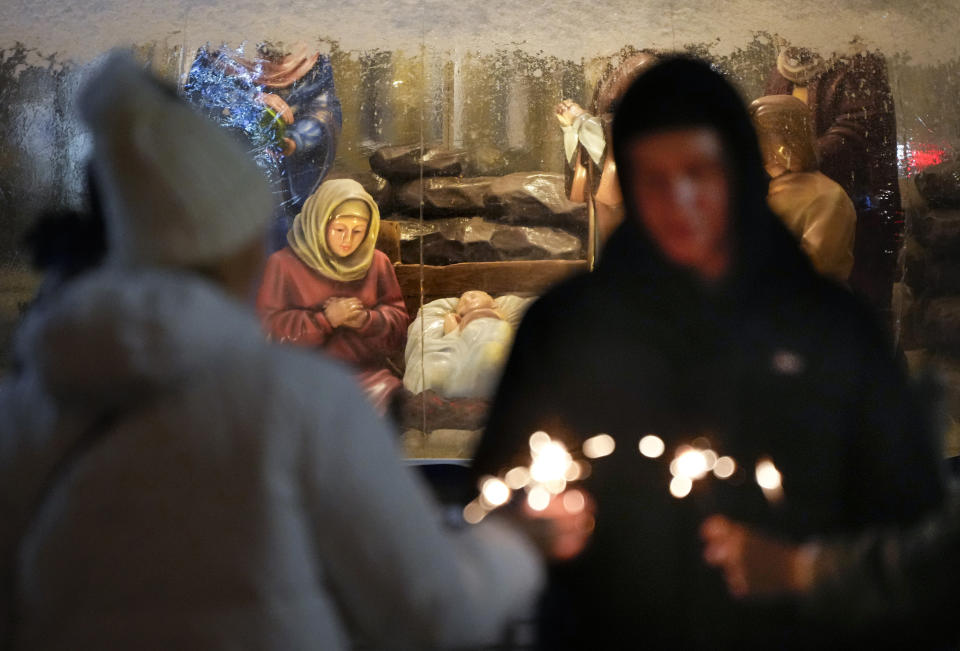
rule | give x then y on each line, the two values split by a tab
308	235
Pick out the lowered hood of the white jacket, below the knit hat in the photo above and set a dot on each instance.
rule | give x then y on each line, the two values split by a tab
112	335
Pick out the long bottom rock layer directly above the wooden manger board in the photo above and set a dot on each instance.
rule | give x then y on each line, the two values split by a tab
474	239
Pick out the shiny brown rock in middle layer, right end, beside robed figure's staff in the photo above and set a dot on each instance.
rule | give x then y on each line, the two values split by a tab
535	199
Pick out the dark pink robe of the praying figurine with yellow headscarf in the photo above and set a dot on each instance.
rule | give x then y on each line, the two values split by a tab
290	303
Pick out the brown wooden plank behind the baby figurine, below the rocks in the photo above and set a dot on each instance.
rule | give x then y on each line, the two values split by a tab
518	277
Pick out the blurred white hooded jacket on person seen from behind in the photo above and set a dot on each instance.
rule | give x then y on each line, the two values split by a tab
245	495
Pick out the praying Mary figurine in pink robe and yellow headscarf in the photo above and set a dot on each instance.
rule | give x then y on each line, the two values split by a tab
331	289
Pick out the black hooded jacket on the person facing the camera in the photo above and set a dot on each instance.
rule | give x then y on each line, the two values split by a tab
774	362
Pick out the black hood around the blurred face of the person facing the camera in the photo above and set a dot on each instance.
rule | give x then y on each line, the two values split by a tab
681	93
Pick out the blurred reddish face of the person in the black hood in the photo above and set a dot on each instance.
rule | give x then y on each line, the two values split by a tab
681	189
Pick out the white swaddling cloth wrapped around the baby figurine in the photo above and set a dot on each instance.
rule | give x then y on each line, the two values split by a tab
465	363
